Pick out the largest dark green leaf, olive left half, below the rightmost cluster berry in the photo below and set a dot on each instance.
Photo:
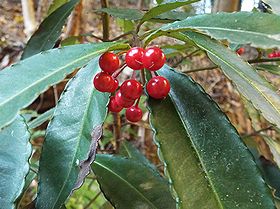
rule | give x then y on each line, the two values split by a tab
207	163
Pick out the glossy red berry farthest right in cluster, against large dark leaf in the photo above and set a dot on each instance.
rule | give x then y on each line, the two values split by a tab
158	87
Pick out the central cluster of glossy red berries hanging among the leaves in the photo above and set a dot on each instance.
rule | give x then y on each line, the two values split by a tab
129	93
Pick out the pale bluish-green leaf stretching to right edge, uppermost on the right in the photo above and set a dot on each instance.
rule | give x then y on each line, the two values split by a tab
235	27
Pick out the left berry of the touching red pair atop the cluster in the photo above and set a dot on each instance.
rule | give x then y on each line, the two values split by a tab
133	58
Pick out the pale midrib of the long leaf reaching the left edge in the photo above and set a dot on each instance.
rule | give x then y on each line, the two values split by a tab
48	76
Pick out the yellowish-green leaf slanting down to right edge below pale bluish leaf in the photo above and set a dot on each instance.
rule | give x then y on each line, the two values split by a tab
249	83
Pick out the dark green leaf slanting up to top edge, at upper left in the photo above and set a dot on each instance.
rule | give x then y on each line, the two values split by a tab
49	31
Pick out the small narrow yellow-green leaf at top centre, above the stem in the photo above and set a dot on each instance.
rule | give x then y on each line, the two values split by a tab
165	7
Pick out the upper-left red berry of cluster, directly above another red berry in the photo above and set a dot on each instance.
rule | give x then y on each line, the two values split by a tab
109	62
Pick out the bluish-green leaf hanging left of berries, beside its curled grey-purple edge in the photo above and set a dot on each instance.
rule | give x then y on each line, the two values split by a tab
68	137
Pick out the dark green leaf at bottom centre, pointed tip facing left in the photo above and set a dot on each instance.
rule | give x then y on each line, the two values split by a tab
129	184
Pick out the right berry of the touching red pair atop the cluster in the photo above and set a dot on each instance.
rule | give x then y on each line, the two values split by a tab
153	59
